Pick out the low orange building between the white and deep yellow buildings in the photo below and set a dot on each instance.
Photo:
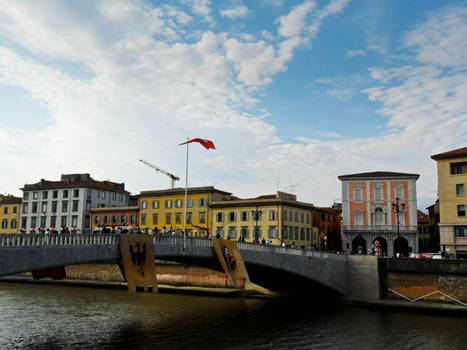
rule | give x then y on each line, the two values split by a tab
118	217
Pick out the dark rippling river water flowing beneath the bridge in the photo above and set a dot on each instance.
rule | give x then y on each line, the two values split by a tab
59	317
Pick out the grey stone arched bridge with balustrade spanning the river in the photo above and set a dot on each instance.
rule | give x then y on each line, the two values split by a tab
273	267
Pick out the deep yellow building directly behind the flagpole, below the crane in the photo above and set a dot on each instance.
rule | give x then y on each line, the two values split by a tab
165	208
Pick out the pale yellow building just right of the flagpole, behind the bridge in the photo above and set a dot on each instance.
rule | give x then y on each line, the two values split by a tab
277	218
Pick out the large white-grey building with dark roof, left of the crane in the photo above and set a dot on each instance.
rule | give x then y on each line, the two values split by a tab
68	202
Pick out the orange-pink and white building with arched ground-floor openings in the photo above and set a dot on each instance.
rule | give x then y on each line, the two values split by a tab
368	213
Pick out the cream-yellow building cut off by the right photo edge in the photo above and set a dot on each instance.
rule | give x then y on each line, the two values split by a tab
452	182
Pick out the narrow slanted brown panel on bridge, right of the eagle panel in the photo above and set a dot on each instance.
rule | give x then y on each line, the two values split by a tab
232	262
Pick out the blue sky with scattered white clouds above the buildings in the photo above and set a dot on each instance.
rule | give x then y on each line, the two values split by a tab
292	93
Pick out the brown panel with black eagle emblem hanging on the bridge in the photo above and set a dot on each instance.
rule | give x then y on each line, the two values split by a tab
137	262
